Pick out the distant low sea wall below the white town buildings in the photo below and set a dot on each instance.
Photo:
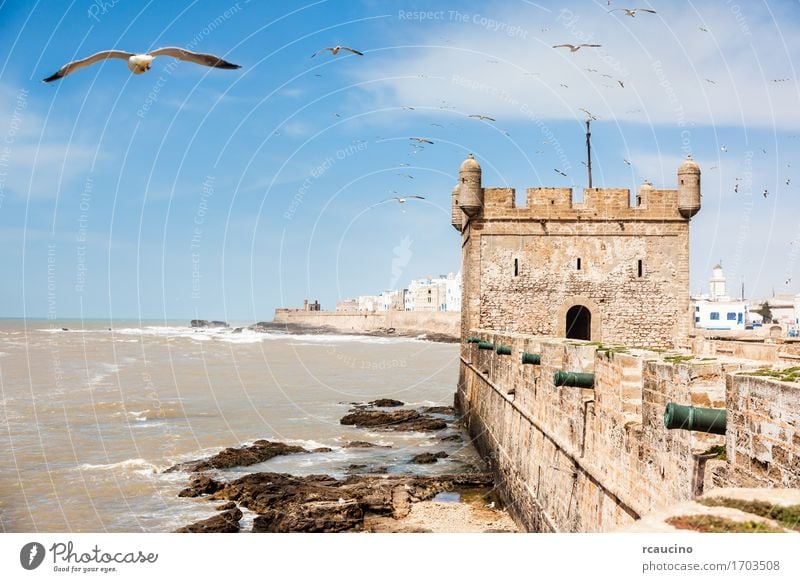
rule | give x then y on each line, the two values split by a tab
404	322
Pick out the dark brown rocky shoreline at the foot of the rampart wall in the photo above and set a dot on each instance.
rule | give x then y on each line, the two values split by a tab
285	503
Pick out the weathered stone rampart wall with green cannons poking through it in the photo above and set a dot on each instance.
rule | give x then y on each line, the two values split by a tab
574	459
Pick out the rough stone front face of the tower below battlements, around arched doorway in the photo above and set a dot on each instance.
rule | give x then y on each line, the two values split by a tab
640	311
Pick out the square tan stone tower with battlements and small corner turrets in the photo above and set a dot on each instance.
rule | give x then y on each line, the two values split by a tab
601	270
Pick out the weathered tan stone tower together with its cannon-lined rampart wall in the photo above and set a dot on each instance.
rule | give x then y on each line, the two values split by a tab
596	459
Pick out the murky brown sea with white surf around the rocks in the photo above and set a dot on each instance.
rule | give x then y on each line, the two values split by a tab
93	412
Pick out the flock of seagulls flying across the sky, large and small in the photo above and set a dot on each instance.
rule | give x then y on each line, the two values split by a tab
139	63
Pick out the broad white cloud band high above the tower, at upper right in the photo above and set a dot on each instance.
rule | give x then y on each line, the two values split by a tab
672	71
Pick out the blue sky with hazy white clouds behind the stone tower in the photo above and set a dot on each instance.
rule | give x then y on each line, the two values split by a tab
194	192
